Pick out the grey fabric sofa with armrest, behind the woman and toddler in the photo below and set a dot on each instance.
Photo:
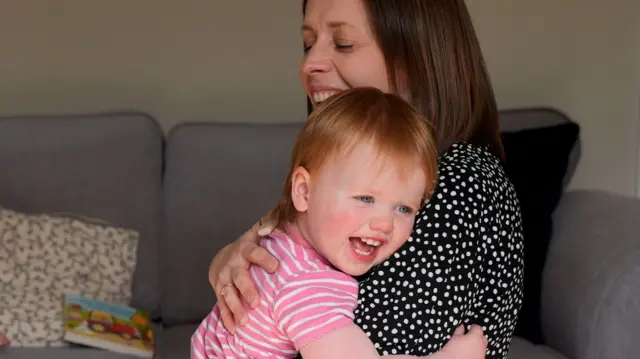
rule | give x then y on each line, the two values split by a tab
190	192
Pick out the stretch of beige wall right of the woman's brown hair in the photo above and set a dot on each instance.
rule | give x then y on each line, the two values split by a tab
580	56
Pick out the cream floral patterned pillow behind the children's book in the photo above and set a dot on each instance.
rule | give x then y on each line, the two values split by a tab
44	256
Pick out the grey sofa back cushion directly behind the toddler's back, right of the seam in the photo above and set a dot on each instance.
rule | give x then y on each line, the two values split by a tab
219	180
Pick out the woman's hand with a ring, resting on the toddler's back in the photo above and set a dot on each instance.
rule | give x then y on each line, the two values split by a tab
229	274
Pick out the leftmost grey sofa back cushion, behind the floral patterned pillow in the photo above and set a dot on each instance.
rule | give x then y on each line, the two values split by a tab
106	166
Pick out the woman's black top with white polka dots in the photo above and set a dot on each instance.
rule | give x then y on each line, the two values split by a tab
462	264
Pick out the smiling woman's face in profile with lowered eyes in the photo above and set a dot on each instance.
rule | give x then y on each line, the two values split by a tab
340	50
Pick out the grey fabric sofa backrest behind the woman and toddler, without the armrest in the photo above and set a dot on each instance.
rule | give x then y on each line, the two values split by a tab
218	180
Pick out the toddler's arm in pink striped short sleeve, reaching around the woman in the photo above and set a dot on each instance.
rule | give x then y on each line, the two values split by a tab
315	311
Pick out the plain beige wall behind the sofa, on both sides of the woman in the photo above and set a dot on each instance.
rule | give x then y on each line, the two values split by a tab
211	60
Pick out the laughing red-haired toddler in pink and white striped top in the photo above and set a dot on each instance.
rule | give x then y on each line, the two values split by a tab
361	168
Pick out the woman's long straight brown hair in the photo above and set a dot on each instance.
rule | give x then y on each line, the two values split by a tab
432	52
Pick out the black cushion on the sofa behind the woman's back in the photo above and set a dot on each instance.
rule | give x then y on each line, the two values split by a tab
536	162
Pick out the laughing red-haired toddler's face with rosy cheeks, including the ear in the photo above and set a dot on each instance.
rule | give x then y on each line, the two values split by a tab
358	208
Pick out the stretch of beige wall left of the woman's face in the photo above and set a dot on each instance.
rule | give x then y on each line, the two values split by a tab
176	59
